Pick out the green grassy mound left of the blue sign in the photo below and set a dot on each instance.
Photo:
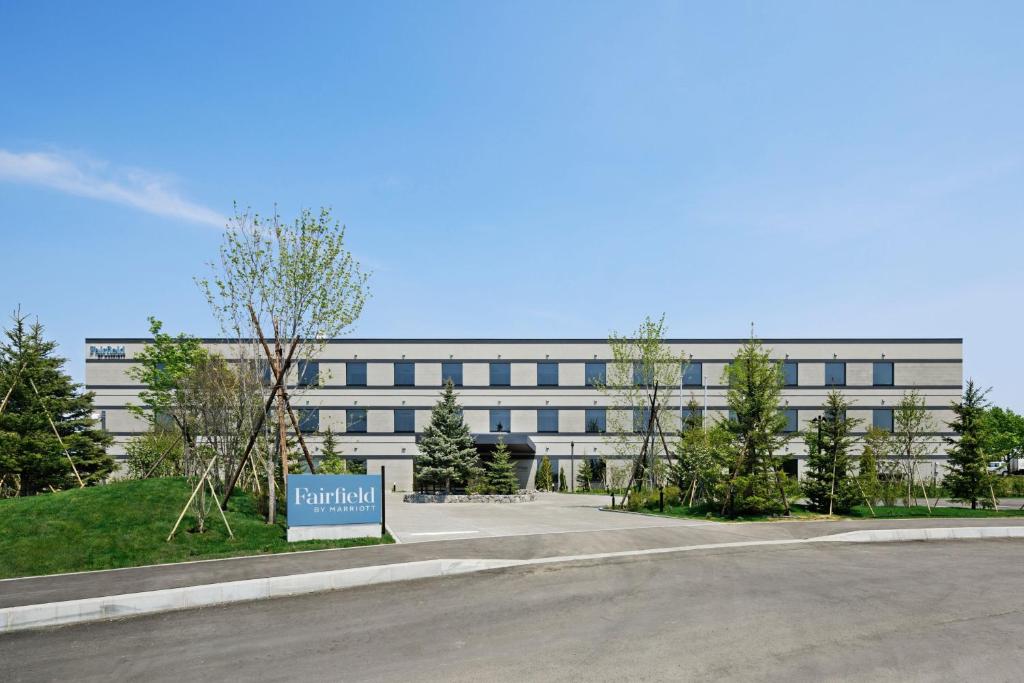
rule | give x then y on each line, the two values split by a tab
125	524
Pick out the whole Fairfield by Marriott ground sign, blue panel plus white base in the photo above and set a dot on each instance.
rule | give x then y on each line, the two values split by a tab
334	506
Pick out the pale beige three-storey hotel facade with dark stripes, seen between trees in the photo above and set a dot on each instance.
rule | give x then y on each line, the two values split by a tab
539	395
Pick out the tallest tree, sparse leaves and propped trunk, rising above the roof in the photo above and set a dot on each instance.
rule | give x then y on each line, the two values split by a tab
290	287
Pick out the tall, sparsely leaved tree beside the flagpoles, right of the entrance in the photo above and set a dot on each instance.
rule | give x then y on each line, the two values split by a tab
642	362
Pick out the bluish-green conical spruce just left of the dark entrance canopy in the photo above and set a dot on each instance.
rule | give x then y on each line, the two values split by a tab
448	454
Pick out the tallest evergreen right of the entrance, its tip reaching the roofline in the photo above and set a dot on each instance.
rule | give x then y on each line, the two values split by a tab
757	431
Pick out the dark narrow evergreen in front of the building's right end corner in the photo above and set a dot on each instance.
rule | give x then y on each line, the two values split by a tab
967	471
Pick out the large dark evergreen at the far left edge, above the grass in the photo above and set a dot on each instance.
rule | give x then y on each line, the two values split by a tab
30	453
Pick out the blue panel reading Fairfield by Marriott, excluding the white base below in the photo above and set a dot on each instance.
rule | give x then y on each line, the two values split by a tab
316	500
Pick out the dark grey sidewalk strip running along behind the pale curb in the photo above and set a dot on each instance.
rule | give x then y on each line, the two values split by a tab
60	588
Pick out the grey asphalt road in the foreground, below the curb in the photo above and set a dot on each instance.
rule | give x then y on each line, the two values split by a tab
873	612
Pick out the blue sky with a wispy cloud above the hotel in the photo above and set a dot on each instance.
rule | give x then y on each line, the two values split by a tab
532	169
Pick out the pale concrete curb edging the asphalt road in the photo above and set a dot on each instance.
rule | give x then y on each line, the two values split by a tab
132	605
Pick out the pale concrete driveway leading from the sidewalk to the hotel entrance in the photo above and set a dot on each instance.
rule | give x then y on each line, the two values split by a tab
550	514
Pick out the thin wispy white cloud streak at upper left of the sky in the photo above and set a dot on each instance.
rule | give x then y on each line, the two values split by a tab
102	182
